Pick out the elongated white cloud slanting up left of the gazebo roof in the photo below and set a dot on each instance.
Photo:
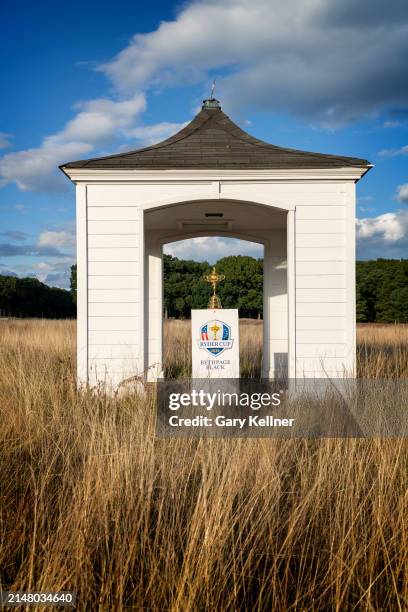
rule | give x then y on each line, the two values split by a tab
96	122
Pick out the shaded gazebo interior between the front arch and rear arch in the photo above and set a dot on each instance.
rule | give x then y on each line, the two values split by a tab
248	222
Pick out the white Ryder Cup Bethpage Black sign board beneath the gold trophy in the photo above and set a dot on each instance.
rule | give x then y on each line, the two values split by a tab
215	343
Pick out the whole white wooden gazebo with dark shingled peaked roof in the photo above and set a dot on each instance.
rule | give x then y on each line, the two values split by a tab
213	179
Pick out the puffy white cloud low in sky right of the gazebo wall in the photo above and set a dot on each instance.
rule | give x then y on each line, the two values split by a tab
386	229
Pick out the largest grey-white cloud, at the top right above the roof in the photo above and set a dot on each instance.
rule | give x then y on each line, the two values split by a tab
279	56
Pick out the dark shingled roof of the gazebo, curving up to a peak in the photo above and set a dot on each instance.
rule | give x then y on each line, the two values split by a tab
211	140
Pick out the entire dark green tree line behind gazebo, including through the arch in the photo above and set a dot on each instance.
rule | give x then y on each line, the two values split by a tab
382	290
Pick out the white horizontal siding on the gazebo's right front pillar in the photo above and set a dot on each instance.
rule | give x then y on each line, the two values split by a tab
322	286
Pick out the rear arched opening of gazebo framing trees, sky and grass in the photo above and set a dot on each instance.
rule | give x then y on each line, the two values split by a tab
185	264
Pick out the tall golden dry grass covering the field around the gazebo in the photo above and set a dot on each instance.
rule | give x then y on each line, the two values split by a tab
91	501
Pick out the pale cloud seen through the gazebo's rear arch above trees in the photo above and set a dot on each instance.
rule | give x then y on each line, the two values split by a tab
212	248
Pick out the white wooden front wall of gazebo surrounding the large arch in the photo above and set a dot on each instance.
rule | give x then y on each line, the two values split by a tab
324	264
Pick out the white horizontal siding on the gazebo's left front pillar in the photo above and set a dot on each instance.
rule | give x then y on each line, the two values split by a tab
115	293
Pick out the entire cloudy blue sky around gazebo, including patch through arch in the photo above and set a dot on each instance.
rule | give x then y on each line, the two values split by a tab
93	78
